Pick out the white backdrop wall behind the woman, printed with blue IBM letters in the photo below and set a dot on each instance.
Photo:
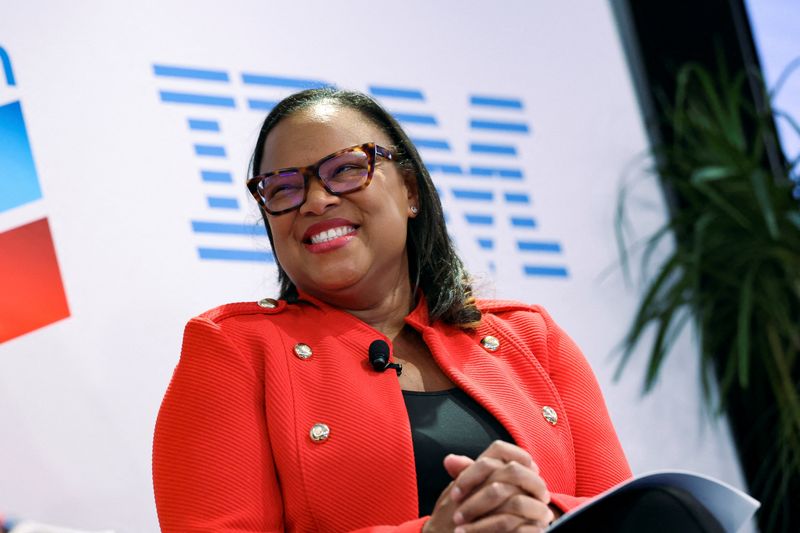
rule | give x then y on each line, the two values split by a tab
529	196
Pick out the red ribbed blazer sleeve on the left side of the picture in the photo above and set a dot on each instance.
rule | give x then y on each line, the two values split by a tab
213	470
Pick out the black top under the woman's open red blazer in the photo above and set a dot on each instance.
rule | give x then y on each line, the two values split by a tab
445	422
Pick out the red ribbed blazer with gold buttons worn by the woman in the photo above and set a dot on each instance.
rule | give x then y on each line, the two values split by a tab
233	452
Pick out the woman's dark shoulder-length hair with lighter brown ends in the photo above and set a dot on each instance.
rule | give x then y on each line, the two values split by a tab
433	263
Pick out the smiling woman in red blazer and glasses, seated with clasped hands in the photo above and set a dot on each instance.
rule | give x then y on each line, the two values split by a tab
276	419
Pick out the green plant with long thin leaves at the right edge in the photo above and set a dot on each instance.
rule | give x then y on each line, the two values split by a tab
733	268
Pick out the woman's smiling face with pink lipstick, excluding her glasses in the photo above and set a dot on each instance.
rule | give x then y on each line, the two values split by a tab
365	257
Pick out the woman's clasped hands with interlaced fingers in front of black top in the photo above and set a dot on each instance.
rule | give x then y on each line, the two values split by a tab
499	491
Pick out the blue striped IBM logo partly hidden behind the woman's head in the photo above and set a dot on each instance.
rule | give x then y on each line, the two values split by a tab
484	188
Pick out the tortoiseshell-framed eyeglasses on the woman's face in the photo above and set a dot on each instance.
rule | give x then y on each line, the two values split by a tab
342	172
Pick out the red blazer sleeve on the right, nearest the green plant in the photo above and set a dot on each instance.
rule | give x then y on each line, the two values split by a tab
599	460
